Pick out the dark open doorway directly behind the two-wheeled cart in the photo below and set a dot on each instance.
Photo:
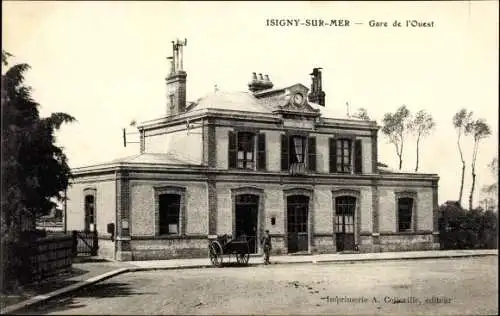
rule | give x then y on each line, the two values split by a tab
246	209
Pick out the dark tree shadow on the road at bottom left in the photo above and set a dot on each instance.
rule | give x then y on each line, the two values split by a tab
71	301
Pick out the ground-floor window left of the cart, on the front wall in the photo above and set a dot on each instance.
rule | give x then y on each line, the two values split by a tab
169	210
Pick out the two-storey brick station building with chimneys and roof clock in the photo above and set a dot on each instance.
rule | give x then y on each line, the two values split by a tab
240	163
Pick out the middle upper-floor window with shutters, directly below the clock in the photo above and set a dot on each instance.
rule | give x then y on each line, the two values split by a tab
297	152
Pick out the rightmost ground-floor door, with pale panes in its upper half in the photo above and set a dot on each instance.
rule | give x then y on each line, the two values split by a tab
344	220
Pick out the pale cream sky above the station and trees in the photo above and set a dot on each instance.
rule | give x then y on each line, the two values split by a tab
105	64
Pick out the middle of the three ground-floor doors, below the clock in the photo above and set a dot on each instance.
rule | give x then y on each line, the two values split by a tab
297	212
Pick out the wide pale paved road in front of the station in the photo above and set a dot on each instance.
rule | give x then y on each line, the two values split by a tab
437	287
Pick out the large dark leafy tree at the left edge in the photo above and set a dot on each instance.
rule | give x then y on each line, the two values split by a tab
34	170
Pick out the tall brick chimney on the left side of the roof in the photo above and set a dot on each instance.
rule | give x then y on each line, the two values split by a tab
176	80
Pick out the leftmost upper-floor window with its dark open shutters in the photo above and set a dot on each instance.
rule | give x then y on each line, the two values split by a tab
244	148
